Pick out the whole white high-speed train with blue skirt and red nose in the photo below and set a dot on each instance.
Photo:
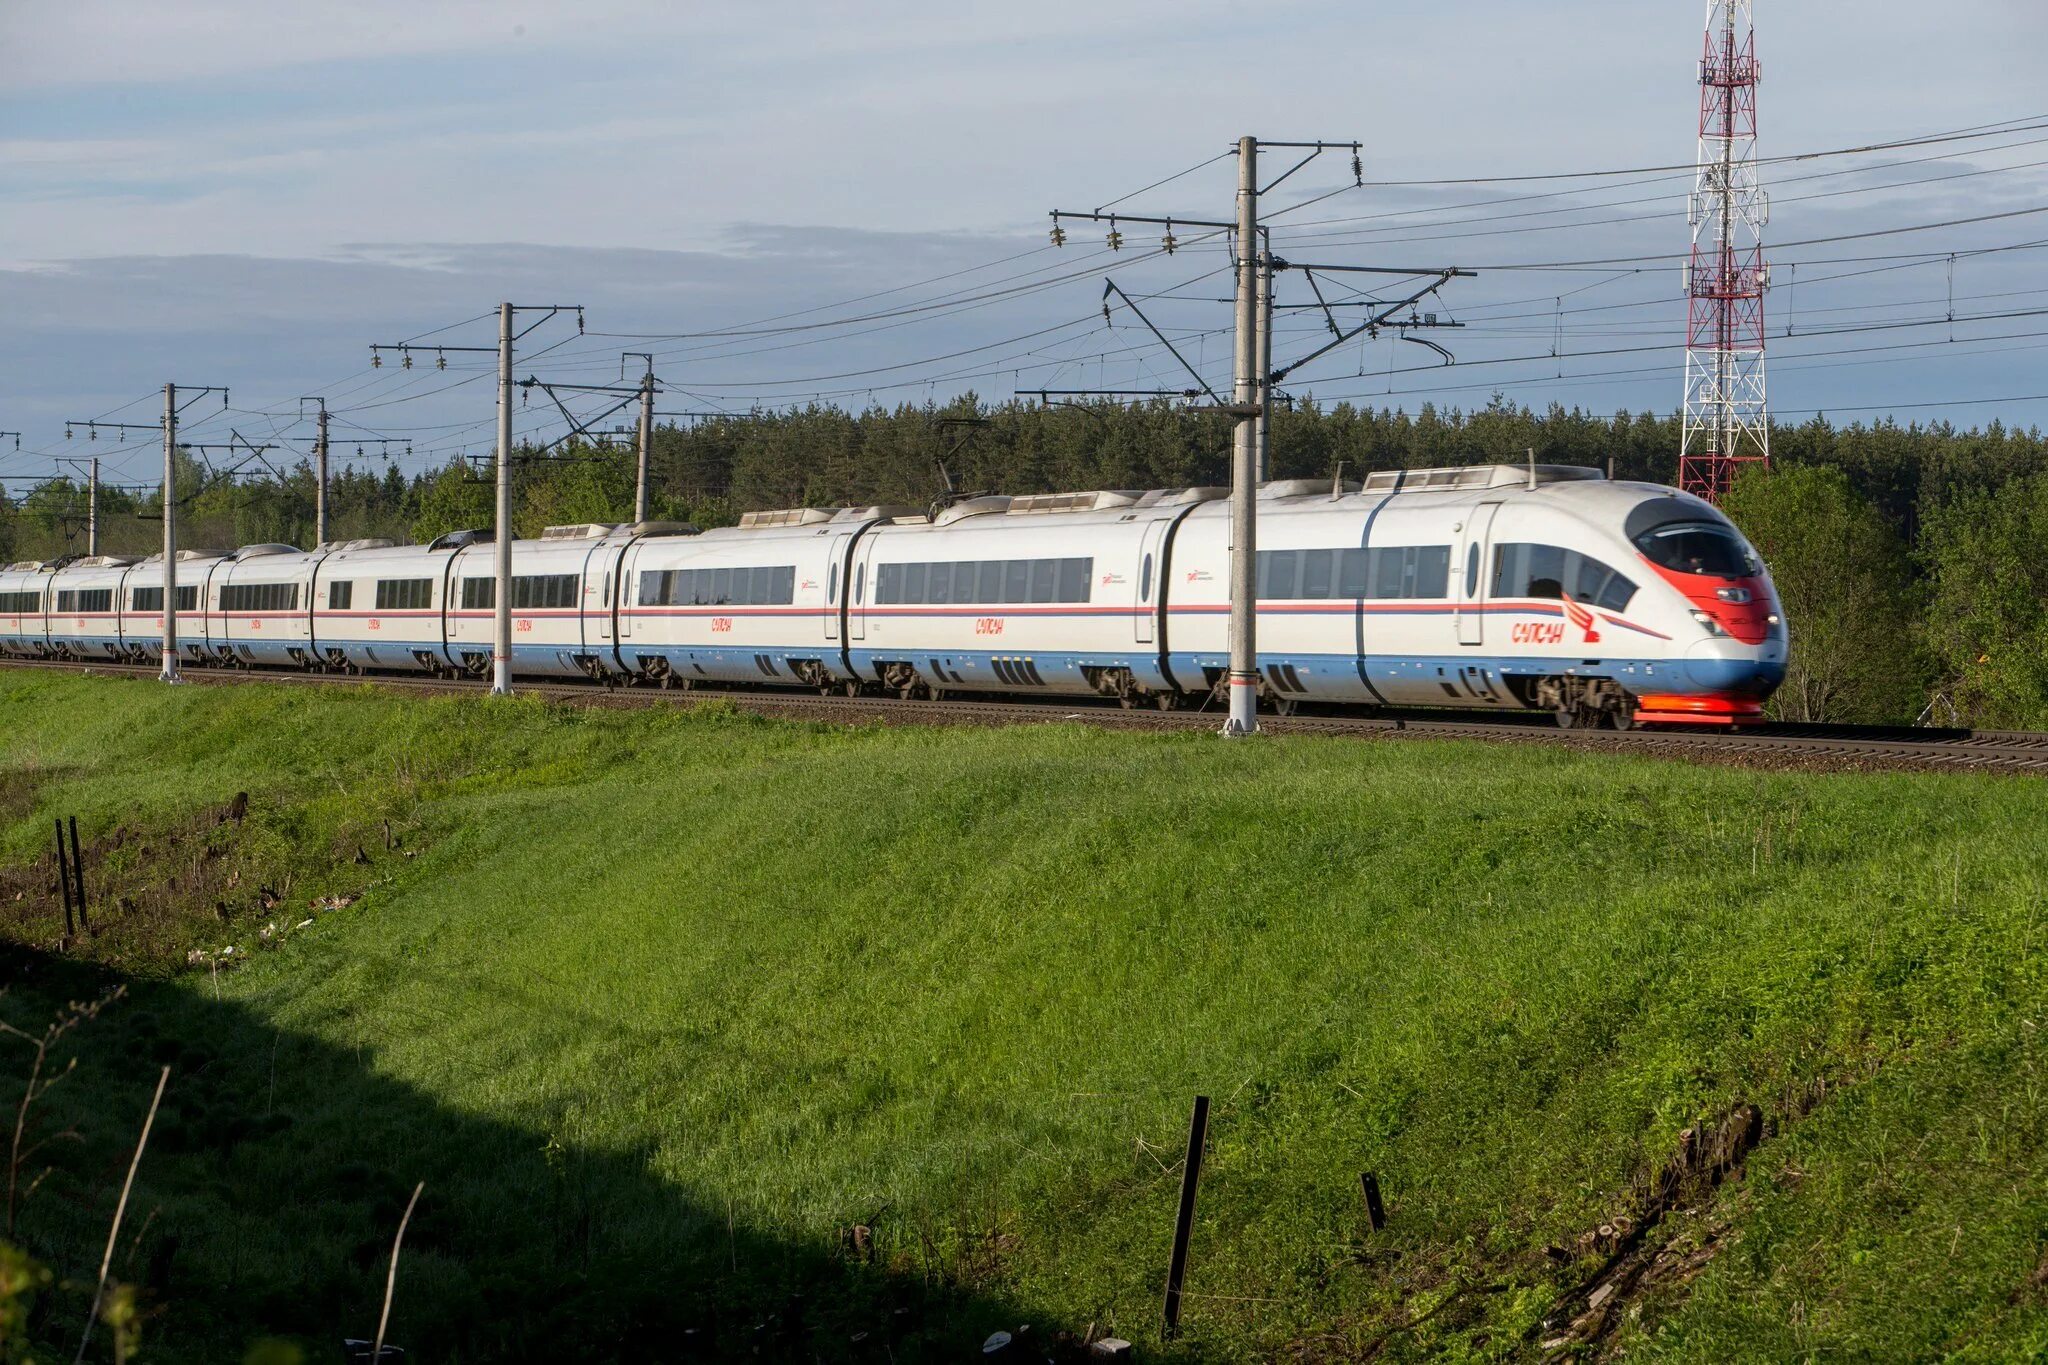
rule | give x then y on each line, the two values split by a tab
1484	588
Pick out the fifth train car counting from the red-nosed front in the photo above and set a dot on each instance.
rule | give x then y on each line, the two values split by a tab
380	605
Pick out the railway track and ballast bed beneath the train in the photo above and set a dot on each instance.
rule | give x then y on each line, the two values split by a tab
1775	746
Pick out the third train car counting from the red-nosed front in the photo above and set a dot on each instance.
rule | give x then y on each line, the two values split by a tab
761	603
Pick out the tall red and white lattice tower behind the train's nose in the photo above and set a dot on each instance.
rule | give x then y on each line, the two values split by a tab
1727	423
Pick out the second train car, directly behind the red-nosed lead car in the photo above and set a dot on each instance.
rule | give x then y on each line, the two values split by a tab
1056	592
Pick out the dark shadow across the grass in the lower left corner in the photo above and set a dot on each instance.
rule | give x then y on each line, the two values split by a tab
280	1168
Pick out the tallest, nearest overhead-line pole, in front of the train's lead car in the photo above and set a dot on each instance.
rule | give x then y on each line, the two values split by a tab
1244	680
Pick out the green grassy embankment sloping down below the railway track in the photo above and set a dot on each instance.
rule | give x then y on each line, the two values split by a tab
660	1006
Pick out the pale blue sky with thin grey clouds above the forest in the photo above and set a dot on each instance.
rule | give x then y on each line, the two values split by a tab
253	193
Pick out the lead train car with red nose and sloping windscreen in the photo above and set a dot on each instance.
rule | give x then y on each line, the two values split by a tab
1490	588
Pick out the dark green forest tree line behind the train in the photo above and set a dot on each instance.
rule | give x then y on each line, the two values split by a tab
1908	556
